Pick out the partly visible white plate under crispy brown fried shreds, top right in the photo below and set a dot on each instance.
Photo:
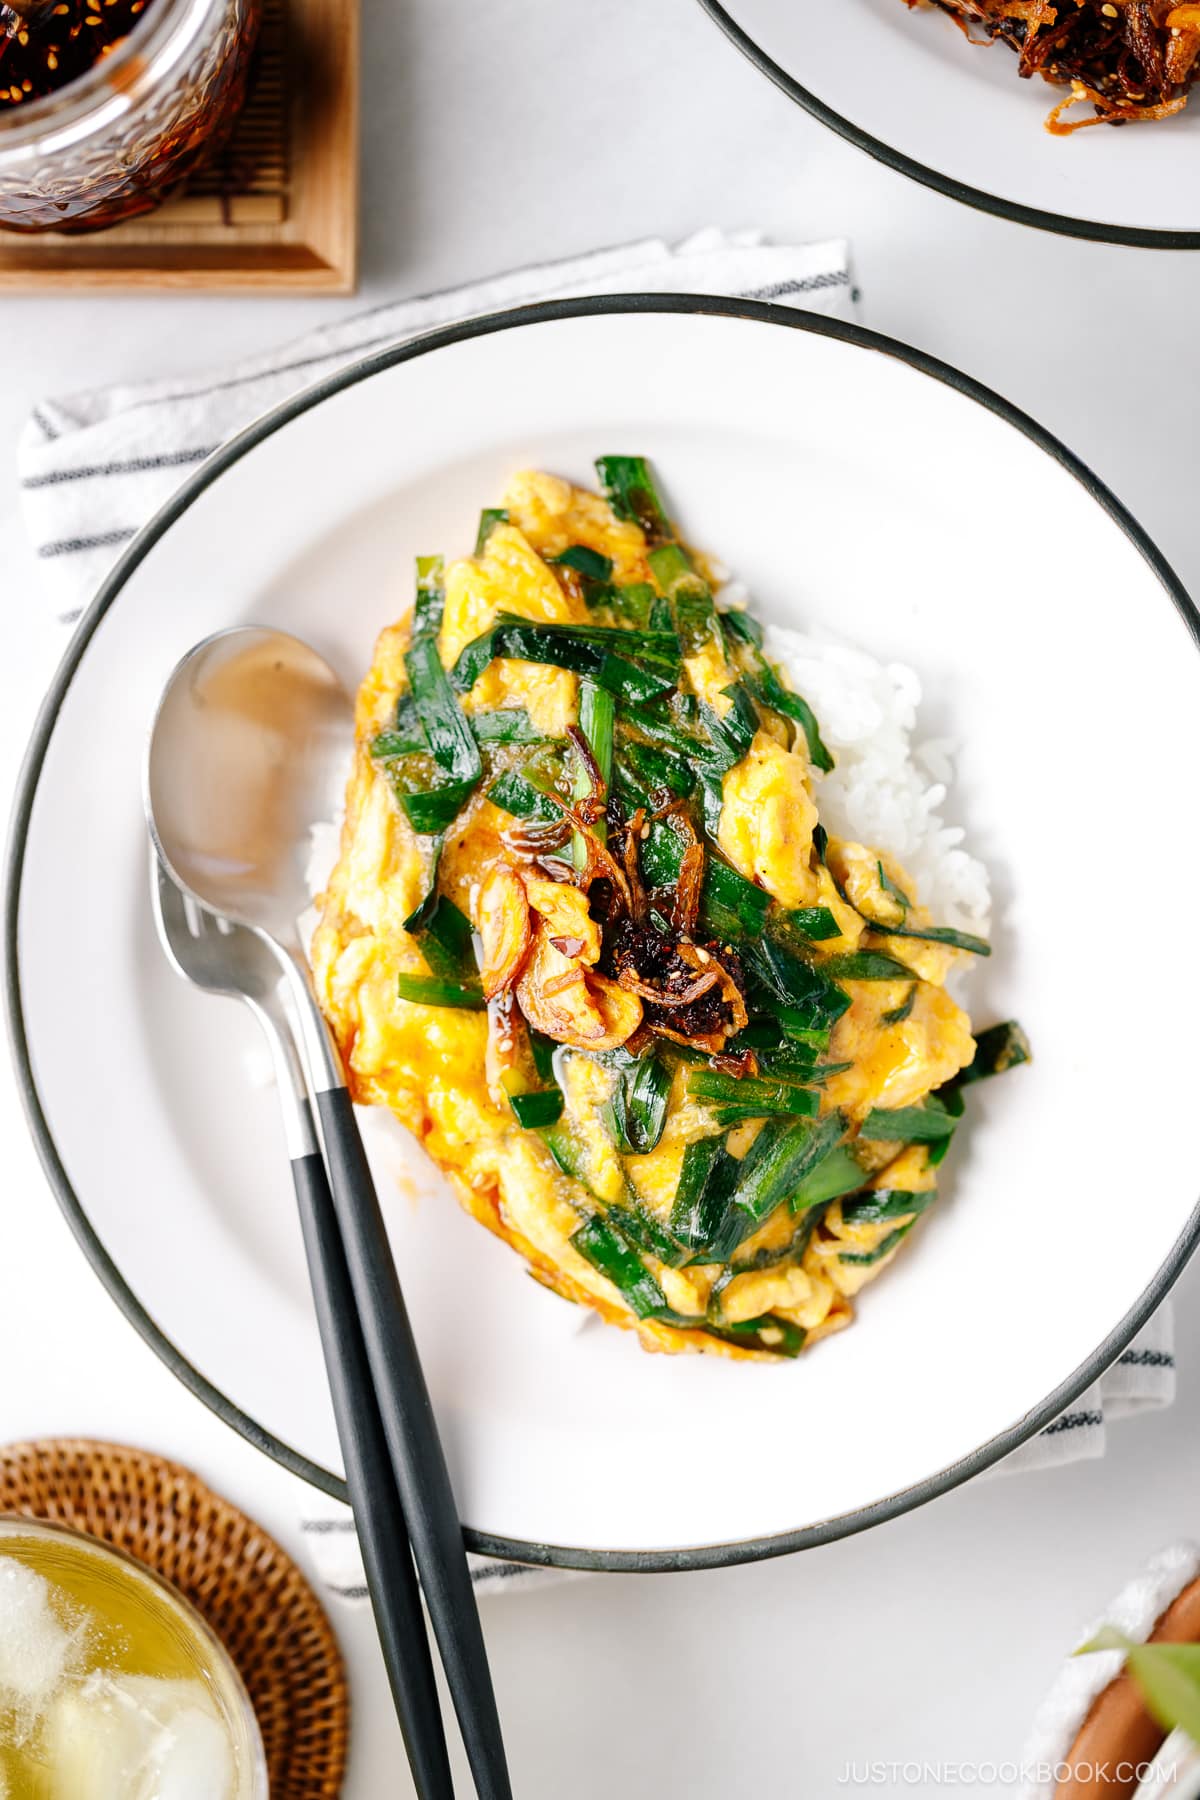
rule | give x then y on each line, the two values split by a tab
909	89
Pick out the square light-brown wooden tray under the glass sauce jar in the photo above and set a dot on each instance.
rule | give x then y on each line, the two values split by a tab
276	211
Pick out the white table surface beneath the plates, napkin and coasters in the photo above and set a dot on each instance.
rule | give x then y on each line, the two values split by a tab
517	132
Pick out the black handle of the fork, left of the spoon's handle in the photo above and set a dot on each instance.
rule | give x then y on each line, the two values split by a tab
379	1516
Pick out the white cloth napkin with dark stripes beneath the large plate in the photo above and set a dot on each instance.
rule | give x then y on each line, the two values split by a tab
94	467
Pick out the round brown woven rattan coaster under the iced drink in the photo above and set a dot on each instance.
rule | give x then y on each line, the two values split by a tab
253	1596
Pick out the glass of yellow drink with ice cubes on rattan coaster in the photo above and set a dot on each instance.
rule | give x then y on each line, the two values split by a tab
112	1687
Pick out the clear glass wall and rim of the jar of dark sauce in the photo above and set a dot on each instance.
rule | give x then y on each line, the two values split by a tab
120	138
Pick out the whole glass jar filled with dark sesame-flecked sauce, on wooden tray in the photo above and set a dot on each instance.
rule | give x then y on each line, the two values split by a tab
107	105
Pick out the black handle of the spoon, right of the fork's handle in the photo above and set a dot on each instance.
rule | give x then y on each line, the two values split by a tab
418	1459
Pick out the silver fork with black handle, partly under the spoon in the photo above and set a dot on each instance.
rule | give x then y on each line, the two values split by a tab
237	964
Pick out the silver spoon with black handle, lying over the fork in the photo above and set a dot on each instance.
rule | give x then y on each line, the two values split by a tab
247	755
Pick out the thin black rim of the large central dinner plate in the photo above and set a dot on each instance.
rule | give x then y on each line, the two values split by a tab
519	1551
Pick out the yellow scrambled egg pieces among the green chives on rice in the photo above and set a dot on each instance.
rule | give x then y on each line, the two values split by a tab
442	1072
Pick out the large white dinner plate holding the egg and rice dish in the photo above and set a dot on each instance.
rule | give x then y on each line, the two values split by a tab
854	485
